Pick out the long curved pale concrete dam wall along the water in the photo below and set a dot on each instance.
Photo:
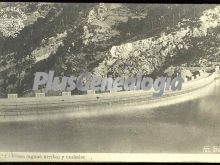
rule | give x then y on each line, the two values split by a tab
103	103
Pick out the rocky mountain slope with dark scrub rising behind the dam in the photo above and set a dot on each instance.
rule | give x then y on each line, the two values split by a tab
106	39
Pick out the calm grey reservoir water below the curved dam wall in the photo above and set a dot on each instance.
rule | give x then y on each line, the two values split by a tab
183	128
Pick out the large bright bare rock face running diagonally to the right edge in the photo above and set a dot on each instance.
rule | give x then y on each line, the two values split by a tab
146	55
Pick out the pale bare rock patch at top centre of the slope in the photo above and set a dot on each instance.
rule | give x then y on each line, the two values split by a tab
101	22
